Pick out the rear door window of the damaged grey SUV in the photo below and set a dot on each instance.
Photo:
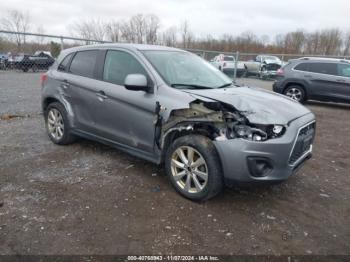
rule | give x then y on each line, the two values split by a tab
83	63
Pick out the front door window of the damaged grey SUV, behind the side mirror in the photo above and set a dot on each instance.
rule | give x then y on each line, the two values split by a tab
118	65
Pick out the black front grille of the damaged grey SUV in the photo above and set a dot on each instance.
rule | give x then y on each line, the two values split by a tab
303	142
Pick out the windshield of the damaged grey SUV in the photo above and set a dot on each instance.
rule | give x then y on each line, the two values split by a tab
186	70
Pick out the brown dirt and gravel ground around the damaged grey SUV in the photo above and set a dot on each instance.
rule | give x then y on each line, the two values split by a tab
91	199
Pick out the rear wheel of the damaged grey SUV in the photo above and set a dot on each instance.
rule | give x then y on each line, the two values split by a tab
57	124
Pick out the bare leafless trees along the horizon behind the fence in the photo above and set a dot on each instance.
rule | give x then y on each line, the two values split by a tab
147	29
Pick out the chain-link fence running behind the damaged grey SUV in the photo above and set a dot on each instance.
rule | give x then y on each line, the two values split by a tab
28	52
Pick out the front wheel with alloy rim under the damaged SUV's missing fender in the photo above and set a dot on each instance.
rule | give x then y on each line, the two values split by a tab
203	150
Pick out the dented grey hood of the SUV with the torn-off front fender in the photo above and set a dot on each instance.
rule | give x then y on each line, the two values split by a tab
259	106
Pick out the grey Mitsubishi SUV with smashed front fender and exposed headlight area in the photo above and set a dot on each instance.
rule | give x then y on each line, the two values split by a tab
169	106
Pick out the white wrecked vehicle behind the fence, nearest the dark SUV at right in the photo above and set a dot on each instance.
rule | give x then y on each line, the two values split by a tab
264	66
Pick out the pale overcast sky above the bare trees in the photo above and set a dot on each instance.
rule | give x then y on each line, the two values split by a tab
216	17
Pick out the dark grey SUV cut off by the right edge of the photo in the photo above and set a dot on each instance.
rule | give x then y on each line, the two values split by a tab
311	78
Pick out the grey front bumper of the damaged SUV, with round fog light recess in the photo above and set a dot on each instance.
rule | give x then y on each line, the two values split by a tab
247	161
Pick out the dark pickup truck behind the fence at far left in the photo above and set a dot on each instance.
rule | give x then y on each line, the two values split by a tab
38	62
